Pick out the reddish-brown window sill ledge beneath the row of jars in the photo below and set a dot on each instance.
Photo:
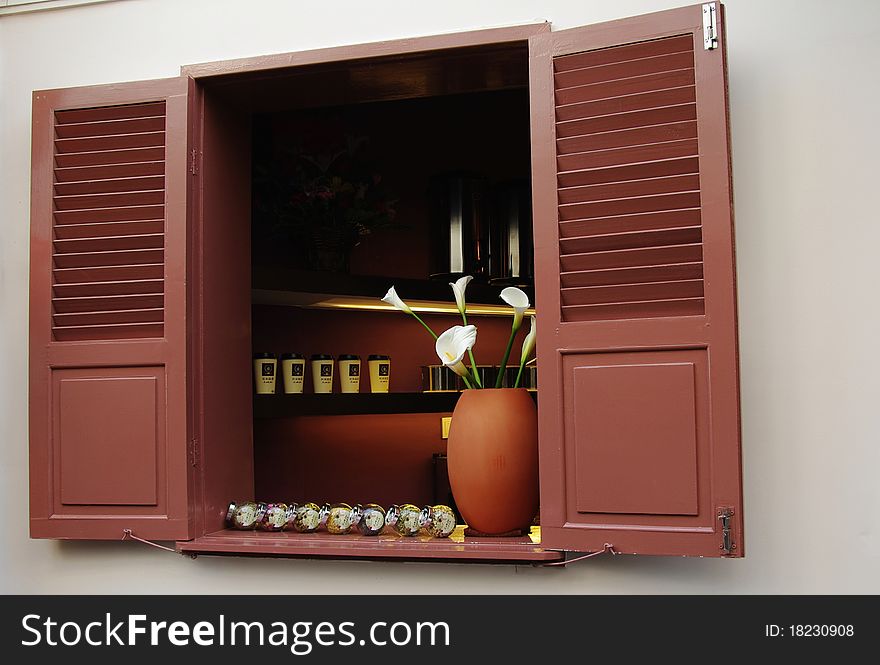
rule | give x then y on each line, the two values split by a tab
485	549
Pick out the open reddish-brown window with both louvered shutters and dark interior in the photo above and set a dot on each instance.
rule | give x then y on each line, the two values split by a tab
617	132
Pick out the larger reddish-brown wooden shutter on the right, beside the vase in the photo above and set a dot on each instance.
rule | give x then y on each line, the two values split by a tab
639	408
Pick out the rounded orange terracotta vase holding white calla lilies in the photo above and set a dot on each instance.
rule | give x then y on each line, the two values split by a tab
493	459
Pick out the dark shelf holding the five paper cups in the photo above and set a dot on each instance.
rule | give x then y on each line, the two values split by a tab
310	404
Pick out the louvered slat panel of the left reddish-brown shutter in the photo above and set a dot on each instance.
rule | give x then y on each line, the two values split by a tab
109	222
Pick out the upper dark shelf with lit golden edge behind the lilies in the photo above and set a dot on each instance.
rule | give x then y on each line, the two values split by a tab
277	285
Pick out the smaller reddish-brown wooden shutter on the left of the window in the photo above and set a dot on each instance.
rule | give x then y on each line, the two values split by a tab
108	380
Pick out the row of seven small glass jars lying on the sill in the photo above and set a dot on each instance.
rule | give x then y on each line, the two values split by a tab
340	518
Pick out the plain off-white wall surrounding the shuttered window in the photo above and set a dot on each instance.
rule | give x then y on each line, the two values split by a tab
804	106
